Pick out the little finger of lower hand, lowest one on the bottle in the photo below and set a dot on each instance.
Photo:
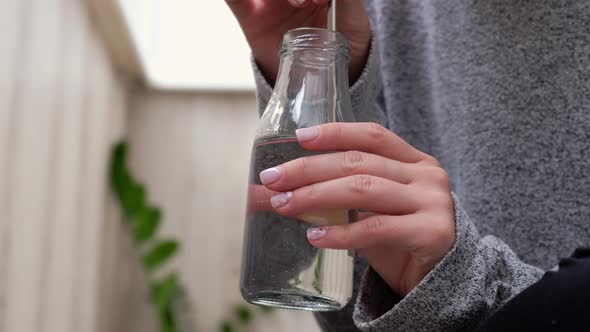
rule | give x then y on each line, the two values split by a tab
378	230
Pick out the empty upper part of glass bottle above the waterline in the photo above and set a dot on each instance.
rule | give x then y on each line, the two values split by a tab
312	84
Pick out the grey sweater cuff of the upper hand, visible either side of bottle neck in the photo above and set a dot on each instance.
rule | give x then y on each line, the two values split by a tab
364	93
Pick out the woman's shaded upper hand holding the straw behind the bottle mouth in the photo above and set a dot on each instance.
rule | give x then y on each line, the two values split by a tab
264	23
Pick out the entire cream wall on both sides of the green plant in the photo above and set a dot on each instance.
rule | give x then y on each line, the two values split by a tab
66	263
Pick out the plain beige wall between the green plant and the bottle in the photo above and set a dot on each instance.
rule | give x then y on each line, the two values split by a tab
192	151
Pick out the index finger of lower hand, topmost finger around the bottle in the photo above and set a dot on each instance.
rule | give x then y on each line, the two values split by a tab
369	137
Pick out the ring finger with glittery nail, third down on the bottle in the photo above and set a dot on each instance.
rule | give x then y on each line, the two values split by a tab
372	193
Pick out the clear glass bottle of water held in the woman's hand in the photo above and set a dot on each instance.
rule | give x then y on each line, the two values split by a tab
279	266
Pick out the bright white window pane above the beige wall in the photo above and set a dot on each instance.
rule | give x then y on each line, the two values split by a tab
183	43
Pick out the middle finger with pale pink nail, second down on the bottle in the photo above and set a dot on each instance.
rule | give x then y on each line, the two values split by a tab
305	171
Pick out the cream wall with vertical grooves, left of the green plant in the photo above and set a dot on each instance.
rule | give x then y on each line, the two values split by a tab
61	107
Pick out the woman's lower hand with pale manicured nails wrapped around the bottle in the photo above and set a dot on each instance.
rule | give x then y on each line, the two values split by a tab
409	226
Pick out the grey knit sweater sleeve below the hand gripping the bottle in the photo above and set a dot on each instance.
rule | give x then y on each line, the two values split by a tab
473	280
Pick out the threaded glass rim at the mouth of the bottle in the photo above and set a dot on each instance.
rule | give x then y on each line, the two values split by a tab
315	39
